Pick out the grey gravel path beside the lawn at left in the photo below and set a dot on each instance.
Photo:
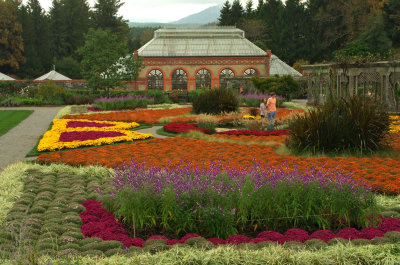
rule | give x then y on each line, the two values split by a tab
17	142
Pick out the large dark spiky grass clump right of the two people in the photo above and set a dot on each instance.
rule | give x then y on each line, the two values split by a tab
349	125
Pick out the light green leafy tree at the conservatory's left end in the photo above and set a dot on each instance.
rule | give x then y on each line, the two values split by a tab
105	64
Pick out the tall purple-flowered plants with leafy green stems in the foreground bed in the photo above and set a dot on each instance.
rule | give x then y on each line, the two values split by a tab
217	201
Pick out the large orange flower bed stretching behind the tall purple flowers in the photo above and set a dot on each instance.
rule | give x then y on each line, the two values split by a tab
383	173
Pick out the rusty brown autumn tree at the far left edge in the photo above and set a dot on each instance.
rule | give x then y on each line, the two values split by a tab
11	45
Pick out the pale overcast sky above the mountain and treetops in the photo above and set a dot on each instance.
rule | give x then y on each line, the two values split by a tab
158	10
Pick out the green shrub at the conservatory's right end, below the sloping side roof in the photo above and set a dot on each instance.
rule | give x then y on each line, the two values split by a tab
284	85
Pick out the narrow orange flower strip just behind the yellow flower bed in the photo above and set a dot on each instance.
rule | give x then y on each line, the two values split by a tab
148	116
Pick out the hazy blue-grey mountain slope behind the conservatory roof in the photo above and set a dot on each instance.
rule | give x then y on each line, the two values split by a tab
204	17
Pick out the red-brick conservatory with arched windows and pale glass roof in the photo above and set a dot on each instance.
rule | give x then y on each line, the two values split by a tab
188	58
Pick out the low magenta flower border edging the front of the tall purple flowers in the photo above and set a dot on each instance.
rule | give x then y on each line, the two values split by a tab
97	222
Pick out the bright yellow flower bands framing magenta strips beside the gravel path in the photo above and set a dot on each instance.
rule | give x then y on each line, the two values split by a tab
50	140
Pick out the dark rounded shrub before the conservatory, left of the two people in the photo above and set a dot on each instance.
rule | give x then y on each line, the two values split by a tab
215	101
